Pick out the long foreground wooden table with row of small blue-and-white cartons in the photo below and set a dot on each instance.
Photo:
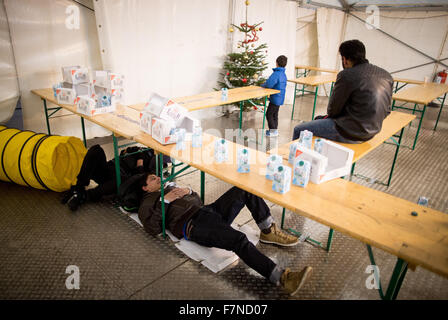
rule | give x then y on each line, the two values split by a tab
371	216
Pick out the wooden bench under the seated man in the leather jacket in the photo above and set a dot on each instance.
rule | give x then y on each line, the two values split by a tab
395	122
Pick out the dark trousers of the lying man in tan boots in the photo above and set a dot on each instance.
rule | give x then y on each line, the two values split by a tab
211	227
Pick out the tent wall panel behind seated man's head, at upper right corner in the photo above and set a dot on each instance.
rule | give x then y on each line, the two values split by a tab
420	29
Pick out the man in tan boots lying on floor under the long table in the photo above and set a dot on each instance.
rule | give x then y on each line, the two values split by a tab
209	226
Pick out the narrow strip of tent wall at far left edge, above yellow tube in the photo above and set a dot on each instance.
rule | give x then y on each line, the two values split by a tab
9	89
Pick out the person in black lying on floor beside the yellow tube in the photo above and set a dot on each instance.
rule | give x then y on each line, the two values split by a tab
96	167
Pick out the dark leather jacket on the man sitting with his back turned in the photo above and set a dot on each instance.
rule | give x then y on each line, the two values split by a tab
360	101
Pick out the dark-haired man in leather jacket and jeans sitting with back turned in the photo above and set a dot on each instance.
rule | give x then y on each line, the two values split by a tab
360	101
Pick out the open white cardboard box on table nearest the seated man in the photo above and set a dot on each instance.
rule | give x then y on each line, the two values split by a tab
334	162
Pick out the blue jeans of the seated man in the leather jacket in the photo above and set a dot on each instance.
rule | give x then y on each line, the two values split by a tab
323	128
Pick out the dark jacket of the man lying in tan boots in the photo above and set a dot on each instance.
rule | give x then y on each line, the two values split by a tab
176	213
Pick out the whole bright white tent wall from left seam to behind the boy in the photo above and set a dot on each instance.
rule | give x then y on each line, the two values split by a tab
177	48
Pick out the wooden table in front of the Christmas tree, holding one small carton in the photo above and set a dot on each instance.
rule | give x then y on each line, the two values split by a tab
213	99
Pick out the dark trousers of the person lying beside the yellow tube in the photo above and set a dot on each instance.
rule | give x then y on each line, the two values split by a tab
95	167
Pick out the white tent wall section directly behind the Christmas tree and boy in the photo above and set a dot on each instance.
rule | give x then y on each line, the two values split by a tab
279	21
